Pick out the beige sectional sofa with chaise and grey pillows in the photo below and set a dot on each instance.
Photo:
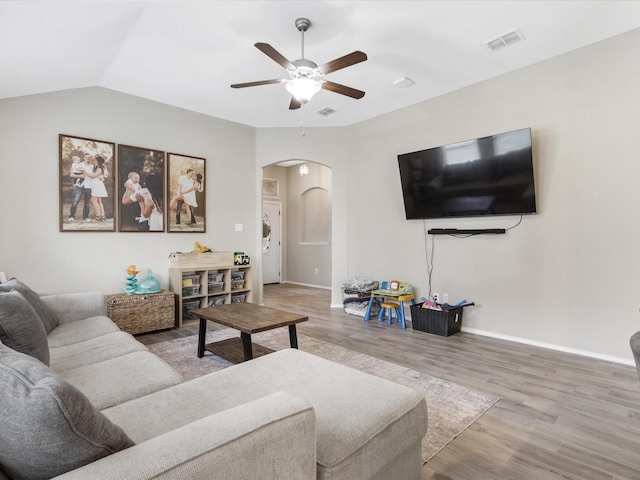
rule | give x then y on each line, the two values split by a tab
287	415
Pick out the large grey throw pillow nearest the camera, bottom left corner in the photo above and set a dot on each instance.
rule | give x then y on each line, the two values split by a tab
47	426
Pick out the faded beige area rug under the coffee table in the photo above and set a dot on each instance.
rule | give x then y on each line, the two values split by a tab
452	407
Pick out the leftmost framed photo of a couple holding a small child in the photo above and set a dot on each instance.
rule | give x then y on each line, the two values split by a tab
87	188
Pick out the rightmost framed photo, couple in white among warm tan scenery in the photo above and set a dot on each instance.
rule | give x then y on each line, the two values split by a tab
186	212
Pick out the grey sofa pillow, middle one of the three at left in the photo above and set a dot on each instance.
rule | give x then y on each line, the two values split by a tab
20	327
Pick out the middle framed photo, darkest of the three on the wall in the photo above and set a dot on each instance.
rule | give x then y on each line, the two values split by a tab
142	204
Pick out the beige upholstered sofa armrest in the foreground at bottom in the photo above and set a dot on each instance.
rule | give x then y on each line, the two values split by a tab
272	437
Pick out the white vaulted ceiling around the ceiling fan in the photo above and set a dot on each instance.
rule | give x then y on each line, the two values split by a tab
188	53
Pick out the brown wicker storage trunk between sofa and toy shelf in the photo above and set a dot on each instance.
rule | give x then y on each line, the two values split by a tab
142	313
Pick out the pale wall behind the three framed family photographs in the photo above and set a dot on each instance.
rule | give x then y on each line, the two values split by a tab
32	248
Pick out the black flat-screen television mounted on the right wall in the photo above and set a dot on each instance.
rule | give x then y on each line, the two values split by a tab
485	176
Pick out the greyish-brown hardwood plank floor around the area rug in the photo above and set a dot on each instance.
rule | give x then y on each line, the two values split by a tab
560	416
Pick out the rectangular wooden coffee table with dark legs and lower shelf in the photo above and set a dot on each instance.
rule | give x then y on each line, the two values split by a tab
249	318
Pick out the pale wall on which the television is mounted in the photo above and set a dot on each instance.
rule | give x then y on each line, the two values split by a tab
565	278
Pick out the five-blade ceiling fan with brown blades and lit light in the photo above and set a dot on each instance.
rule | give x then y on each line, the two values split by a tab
306	78
